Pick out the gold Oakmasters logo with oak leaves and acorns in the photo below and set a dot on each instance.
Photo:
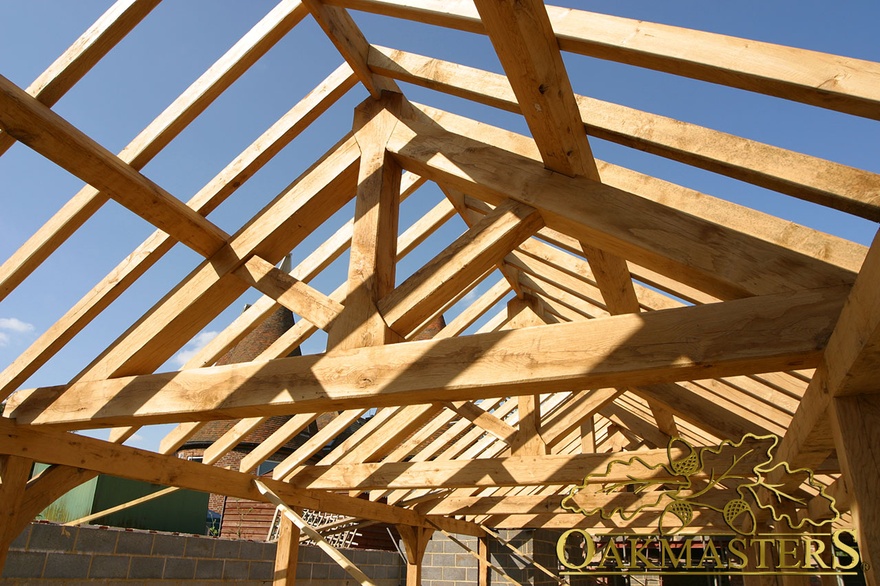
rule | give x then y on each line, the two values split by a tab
732	488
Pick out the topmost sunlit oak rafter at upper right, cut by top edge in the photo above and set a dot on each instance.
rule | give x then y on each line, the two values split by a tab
820	79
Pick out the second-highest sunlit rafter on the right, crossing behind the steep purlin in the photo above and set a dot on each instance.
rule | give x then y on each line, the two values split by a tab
798	175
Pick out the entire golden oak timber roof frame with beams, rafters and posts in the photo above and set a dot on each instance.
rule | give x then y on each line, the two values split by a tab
706	325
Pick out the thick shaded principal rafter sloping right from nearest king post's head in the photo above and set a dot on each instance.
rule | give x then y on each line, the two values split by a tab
667	244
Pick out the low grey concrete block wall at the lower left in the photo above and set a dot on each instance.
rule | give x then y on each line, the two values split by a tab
52	554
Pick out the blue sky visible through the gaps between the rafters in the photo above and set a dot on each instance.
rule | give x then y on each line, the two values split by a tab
181	38
